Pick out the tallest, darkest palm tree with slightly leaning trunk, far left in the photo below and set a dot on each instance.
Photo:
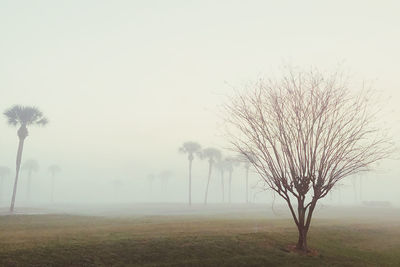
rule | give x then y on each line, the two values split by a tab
24	117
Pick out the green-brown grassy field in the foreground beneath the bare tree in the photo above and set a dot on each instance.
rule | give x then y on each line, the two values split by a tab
219	240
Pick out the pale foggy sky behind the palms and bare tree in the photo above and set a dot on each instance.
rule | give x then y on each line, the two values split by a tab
125	83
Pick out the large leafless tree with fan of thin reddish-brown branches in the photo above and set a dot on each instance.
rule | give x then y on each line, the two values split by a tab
305	132
